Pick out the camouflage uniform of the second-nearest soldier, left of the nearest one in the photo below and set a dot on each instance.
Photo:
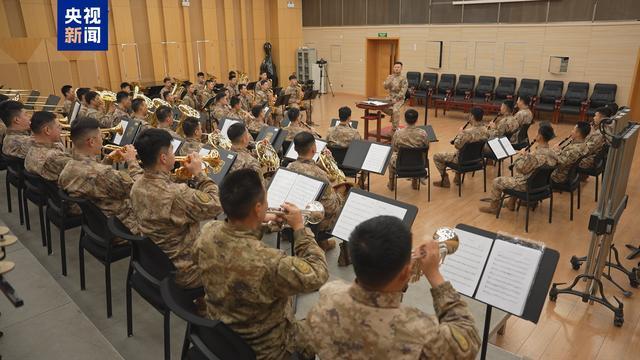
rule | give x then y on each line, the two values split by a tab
248	285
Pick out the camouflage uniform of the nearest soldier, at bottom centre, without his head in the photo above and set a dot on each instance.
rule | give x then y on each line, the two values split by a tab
351	322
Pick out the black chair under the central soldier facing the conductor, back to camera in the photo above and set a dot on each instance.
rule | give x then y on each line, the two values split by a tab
412	163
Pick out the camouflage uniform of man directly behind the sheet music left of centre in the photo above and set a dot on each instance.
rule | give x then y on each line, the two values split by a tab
331	201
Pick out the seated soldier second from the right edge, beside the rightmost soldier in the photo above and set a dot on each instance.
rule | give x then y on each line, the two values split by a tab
569	154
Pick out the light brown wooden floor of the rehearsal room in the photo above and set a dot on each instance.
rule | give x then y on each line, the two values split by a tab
568	328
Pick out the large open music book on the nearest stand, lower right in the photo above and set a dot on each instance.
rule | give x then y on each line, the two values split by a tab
499	272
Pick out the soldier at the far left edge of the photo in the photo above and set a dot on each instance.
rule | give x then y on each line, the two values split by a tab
17	140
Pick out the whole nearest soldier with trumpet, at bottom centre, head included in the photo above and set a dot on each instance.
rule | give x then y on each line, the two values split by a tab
365	319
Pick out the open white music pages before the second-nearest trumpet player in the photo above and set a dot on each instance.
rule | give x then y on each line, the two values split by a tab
290	186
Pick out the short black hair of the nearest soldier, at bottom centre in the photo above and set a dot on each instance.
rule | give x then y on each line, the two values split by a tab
380	248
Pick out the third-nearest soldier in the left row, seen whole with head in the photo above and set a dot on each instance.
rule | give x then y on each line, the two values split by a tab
170	213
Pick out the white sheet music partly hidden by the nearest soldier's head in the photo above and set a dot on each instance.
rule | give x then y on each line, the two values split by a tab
360	208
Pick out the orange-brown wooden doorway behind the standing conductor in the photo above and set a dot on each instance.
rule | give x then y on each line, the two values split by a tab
381	54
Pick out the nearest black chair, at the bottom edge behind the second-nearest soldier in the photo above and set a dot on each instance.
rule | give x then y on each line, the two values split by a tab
211	339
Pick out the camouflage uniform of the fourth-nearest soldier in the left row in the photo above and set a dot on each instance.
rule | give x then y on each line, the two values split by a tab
104	186
